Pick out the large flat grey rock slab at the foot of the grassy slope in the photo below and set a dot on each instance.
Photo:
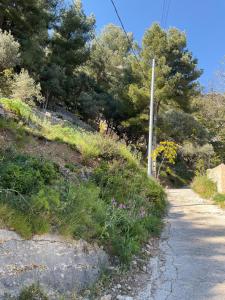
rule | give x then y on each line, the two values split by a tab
59	265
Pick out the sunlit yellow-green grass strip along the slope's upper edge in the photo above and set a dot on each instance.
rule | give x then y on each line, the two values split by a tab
90	145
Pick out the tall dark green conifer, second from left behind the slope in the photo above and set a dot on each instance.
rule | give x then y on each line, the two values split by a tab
68	49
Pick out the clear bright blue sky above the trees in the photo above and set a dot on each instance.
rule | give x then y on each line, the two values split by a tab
202	20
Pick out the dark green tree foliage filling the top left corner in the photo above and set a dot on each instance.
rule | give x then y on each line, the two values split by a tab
29	22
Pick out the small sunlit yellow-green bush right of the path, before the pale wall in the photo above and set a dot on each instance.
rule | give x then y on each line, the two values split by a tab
204	186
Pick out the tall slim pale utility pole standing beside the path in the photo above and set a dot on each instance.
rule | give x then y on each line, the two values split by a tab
151	122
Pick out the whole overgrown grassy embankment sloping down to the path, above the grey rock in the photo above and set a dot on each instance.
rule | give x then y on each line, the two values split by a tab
117	207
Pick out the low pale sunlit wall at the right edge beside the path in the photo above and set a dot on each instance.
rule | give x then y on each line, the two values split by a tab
218	176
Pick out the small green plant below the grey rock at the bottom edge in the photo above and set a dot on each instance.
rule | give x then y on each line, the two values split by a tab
32	292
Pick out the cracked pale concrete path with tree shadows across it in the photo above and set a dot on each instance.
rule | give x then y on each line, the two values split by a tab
191	260
